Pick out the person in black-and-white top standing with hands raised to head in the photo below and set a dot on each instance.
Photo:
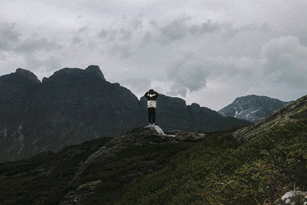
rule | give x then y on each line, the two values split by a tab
151	97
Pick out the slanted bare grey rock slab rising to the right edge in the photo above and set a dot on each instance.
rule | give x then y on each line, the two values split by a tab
289	113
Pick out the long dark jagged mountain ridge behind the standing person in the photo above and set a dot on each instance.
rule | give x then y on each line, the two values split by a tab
76	105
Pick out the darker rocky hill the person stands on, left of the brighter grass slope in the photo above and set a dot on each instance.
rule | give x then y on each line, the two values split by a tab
72	172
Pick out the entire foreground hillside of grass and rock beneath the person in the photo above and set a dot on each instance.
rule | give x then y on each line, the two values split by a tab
261	163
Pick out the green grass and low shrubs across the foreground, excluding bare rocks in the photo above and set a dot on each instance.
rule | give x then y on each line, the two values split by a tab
209	171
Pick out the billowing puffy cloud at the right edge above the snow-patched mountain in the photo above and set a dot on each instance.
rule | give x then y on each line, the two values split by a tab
284	60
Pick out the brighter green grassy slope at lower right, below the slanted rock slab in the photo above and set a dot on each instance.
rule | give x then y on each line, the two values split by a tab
215	172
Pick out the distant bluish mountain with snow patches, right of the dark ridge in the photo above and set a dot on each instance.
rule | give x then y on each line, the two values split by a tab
252	107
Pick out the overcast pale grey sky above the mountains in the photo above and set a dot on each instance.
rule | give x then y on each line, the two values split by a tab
204	51
